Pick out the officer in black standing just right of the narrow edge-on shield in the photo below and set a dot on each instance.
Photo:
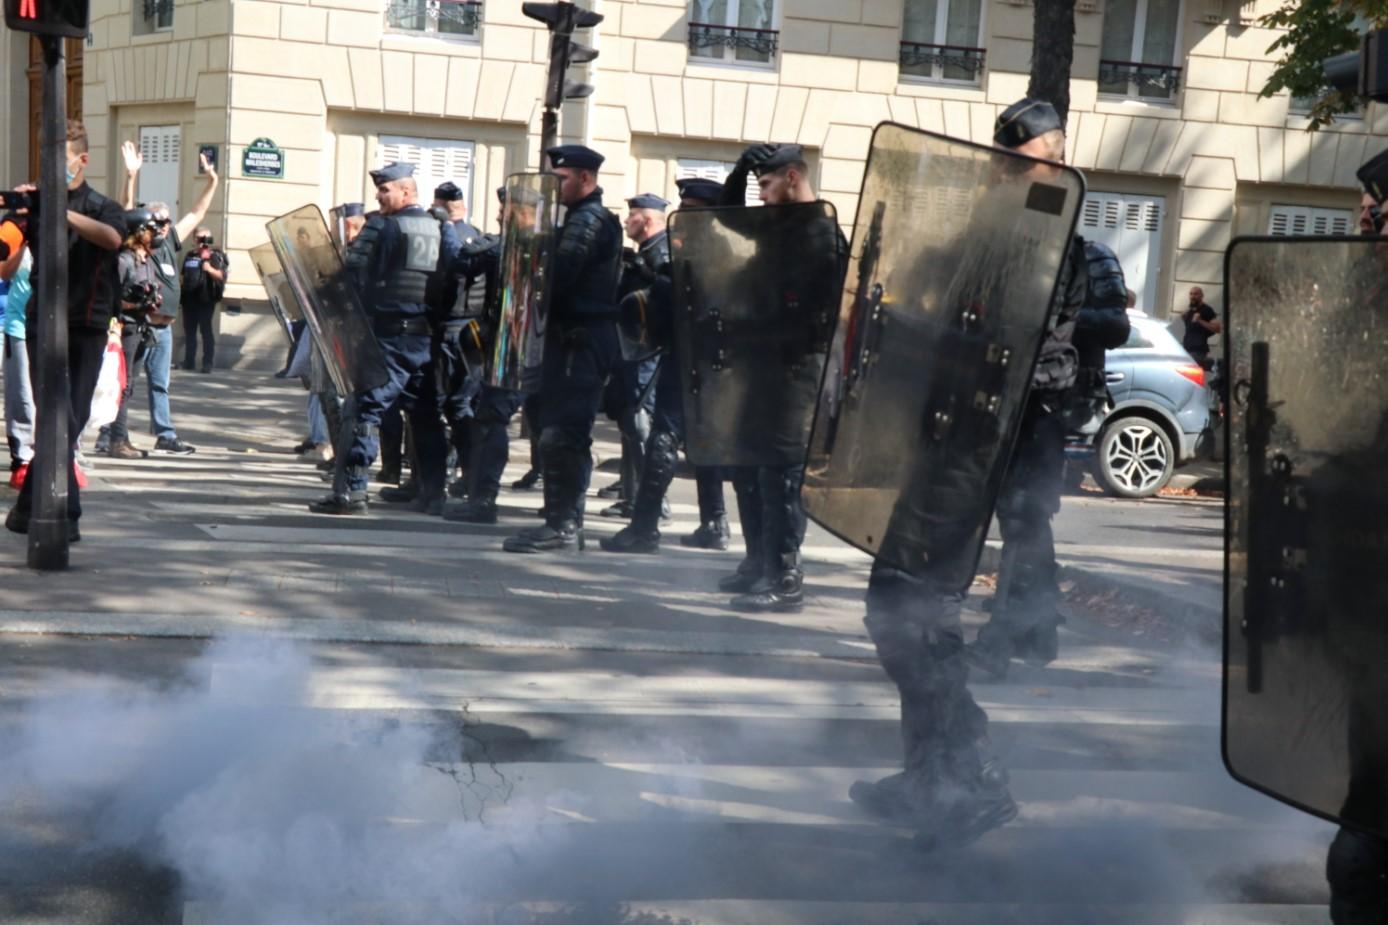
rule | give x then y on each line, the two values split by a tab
581	348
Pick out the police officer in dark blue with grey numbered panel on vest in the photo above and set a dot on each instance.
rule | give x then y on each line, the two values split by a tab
393	262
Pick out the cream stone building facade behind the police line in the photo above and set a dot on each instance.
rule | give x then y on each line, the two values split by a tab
1179	151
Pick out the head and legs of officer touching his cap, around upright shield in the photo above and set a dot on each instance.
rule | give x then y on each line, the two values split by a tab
768	499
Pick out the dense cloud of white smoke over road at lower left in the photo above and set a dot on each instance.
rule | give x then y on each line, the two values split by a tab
273	813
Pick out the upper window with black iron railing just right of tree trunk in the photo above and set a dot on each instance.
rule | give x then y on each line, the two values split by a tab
1139	53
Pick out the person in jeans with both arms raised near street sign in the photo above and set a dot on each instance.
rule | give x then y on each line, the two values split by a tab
164	247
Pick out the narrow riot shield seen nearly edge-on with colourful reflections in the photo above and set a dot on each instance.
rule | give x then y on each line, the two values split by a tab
530	228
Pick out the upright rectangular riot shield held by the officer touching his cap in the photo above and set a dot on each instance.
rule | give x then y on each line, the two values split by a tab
756	295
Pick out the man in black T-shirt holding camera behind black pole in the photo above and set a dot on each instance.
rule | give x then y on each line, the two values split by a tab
95	231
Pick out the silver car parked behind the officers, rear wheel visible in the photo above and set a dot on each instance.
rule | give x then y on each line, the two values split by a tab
1160	417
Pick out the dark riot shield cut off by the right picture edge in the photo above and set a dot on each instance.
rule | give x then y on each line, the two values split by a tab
1307	559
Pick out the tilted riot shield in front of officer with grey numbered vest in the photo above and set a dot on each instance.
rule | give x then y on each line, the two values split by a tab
314	270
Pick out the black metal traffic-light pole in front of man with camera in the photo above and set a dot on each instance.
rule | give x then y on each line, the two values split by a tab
49	516
